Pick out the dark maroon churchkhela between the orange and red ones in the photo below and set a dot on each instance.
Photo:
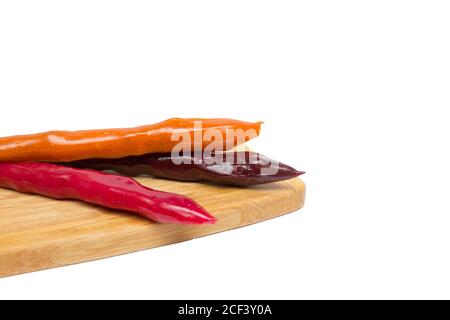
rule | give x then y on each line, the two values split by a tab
239	168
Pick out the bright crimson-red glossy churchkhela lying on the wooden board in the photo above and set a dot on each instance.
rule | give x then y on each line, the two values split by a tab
112	191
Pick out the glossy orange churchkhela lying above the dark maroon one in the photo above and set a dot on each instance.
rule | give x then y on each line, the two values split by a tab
63	146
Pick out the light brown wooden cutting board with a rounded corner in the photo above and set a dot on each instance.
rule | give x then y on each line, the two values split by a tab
38	233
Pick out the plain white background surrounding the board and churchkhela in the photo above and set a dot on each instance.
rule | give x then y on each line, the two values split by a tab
354	92
